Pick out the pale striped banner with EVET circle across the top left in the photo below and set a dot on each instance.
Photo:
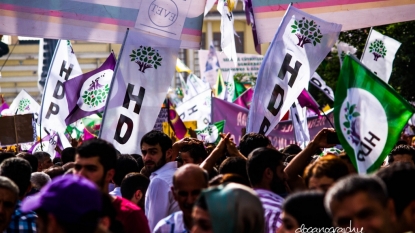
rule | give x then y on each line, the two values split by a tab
104	21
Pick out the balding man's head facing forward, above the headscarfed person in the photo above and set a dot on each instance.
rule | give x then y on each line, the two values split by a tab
188	182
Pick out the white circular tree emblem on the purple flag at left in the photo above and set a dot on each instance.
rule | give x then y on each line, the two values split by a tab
96	93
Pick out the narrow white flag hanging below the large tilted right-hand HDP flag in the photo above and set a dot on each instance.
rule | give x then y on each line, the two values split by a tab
299	121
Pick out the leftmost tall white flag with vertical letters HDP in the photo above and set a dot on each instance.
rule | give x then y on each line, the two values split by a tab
54	107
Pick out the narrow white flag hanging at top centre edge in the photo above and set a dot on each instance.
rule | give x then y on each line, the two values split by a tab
227	30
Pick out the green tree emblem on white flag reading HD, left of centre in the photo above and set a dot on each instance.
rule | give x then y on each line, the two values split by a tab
146	57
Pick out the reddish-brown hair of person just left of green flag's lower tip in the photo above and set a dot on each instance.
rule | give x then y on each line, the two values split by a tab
330	165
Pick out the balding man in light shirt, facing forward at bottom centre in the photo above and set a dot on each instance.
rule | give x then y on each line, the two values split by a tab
188	182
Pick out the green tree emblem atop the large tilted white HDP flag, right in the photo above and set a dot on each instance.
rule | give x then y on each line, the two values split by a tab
307	32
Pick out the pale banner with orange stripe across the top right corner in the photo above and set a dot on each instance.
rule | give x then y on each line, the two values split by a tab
352	15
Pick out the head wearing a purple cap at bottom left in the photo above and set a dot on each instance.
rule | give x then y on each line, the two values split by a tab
67	204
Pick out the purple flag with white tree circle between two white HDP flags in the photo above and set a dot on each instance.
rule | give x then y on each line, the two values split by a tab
87	93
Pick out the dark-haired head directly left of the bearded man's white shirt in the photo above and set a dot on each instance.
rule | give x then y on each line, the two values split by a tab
134	187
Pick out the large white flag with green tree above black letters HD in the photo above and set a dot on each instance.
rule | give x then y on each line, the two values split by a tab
145	68
